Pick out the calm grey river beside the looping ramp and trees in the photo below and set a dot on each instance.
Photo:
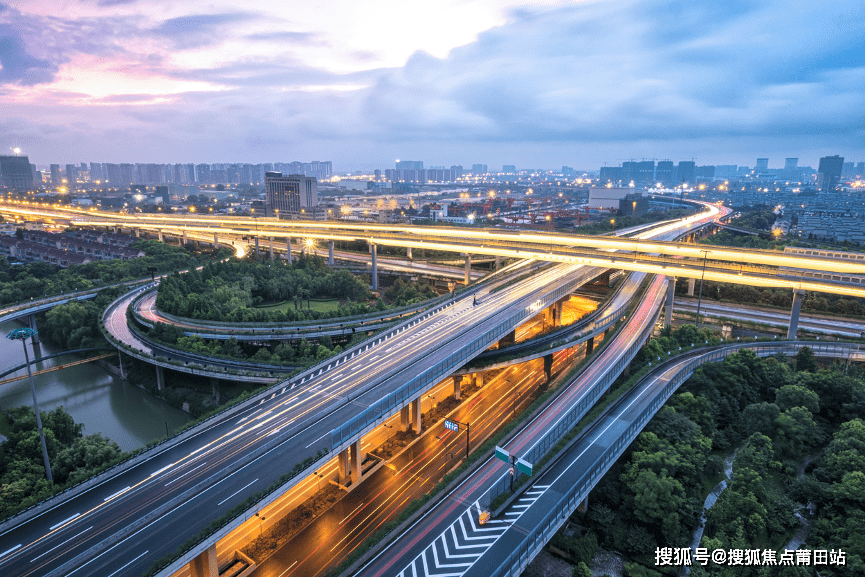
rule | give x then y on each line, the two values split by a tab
93	396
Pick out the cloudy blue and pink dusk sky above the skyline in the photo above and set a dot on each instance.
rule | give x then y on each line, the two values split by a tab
535	84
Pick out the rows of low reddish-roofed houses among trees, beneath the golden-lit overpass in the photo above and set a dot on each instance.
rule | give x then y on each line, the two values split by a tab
65	249
